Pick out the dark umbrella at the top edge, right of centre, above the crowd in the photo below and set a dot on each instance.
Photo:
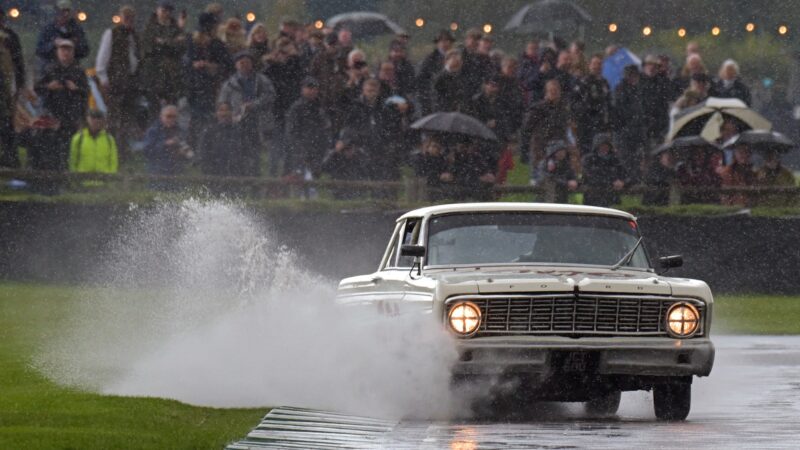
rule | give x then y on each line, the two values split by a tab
548	16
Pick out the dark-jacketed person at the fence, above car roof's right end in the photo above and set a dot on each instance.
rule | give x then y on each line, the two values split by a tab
603	173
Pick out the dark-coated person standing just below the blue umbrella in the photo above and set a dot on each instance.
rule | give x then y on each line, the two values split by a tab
631	122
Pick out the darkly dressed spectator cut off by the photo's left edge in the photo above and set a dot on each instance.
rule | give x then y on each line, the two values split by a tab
12	80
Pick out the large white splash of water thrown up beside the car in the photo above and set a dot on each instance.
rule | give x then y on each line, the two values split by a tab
203	305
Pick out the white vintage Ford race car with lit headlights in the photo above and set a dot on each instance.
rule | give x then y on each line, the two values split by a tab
561	298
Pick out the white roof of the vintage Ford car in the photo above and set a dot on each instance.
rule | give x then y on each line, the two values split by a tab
515	207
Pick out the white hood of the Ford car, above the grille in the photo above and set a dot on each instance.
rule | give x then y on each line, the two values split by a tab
596	280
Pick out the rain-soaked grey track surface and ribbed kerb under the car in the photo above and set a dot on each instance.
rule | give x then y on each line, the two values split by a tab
751	400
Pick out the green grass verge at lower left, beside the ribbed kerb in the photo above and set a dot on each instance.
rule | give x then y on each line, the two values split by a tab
36	413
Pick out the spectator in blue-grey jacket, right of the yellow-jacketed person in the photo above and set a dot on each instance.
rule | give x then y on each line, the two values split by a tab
165	146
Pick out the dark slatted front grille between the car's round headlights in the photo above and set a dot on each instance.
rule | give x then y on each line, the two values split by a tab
581	314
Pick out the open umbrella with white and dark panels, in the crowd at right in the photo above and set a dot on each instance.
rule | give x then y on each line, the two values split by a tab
705	118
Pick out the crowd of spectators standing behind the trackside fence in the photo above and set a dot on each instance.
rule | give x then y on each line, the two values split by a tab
309	102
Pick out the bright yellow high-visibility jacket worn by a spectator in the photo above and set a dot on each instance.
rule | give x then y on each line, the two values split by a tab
93	154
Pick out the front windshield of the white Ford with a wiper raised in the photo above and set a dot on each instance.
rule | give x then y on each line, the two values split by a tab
518	237
